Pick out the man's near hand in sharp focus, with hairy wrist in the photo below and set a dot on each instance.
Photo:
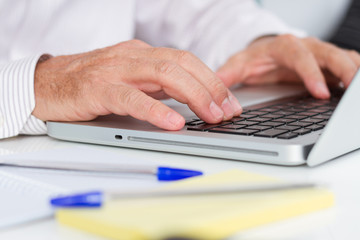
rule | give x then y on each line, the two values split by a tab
122	79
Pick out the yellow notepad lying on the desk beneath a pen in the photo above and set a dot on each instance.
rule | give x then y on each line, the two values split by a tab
199	217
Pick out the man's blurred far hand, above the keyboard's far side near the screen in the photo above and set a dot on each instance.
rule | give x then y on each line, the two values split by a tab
287	58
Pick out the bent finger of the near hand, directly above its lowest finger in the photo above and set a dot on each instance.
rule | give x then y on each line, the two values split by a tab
175	82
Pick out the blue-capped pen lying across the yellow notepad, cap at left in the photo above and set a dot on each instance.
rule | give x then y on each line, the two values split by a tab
98	198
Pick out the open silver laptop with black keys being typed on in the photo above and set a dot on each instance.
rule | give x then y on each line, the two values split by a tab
280	125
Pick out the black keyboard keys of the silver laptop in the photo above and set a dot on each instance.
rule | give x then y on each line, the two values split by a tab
285	120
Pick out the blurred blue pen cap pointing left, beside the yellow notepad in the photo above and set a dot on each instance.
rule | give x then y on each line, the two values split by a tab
89	199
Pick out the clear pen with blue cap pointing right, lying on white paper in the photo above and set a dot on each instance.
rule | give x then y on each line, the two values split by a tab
162	173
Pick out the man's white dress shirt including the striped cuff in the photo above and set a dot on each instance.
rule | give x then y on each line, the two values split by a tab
211	29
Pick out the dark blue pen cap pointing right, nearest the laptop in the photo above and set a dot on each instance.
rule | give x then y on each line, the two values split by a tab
170	174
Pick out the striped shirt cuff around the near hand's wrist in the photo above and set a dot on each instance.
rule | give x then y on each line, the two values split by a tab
17	99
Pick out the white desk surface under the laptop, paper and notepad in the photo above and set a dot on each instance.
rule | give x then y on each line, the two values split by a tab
342	175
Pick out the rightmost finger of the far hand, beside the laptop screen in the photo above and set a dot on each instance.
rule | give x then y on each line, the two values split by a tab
333	59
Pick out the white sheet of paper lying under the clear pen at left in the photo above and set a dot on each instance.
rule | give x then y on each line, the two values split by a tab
25	192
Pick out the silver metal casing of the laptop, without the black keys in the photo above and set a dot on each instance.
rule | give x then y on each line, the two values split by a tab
340	135
